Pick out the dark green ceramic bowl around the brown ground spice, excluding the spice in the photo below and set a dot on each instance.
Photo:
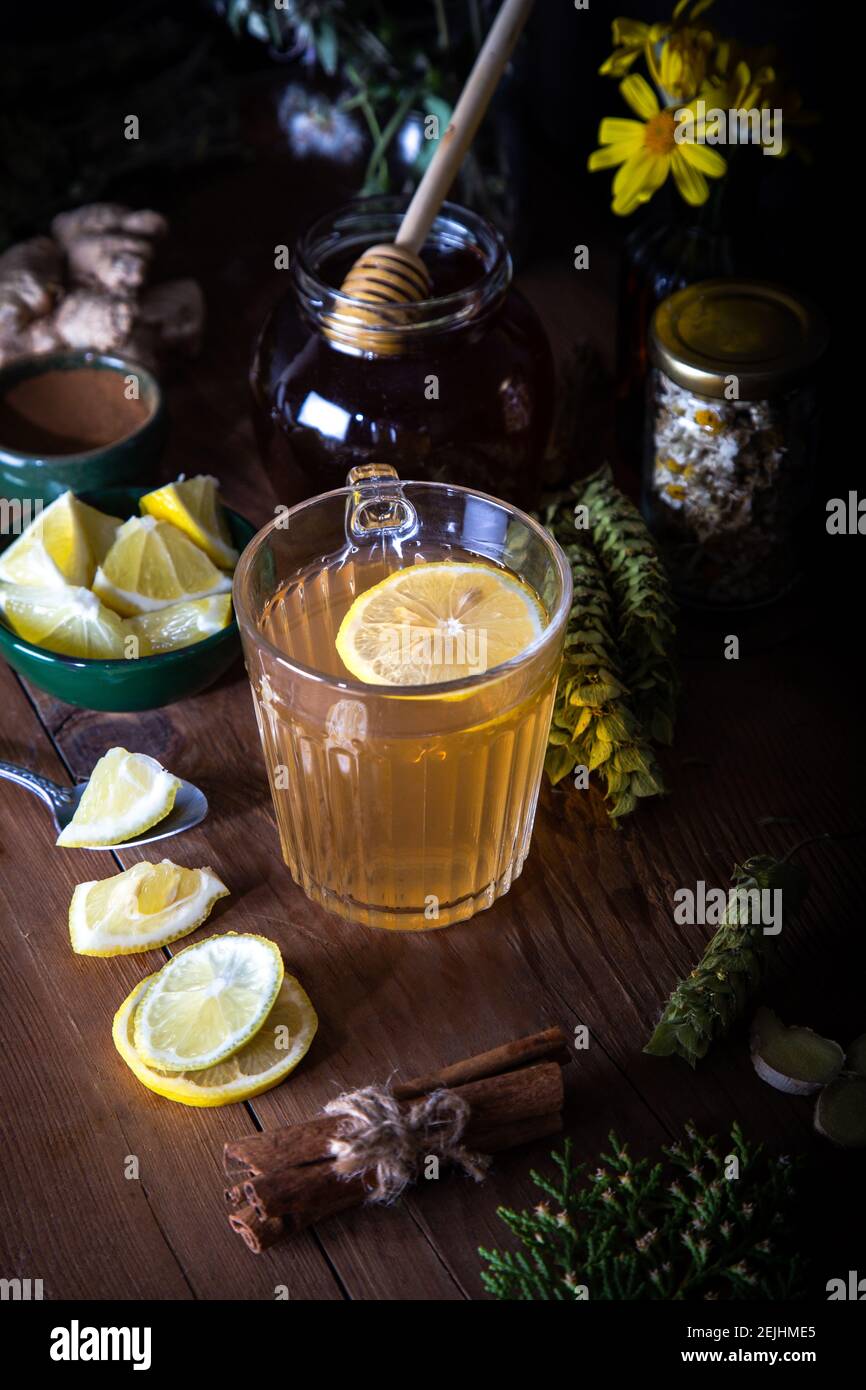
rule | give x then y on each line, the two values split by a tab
134	459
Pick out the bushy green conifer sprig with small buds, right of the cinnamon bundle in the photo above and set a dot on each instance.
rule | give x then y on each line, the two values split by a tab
692	1225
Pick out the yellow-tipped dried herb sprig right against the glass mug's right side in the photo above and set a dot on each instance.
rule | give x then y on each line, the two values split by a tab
594	725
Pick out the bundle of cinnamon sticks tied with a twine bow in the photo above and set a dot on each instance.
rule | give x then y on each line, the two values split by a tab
369	1145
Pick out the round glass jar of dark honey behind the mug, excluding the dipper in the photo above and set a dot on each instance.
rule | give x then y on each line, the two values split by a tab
462	391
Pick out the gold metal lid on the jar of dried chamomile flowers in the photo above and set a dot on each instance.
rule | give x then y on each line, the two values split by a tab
758	333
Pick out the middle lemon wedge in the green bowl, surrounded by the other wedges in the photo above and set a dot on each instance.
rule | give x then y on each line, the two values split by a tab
151	566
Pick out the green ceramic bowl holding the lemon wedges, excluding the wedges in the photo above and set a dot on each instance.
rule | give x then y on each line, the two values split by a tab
124	685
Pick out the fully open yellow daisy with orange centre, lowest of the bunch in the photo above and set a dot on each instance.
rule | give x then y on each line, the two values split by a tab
648	151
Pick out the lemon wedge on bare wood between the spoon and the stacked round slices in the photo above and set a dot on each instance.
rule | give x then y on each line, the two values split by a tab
141	908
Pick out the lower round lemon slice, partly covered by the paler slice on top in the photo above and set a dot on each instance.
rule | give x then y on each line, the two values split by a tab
263	1063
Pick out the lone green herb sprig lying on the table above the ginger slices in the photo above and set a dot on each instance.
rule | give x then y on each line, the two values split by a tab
704	1007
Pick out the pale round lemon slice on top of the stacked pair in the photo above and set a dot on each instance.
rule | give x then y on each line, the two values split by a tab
208	1001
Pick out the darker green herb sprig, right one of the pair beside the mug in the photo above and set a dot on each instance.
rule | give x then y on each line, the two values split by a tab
646	607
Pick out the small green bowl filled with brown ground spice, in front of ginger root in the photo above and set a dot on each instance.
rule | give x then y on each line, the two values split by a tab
77	422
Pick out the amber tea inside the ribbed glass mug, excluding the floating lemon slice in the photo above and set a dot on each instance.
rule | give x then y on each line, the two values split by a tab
407	810
